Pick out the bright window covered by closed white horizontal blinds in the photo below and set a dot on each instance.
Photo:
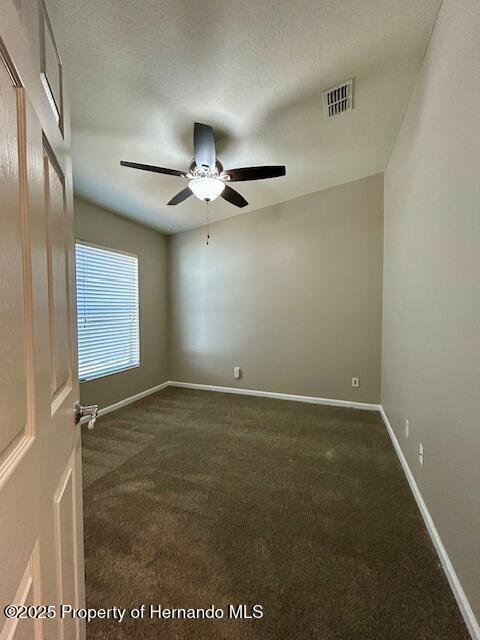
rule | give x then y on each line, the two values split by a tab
107	308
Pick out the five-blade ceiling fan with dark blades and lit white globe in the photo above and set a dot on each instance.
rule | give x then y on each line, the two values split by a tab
206	175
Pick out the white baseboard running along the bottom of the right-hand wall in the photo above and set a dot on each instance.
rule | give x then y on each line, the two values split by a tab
458	592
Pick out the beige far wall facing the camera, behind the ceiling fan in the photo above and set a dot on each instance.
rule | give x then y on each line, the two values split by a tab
291	293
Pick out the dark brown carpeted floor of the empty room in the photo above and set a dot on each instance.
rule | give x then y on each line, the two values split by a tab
195	498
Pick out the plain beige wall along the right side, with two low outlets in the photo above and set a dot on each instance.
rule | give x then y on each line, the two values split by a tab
431	326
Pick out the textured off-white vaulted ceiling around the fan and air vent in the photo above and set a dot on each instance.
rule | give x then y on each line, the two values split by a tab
141	72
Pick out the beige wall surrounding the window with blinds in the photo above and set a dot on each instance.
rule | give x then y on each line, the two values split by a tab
102	227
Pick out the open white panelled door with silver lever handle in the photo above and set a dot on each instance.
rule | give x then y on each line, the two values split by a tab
41	529
